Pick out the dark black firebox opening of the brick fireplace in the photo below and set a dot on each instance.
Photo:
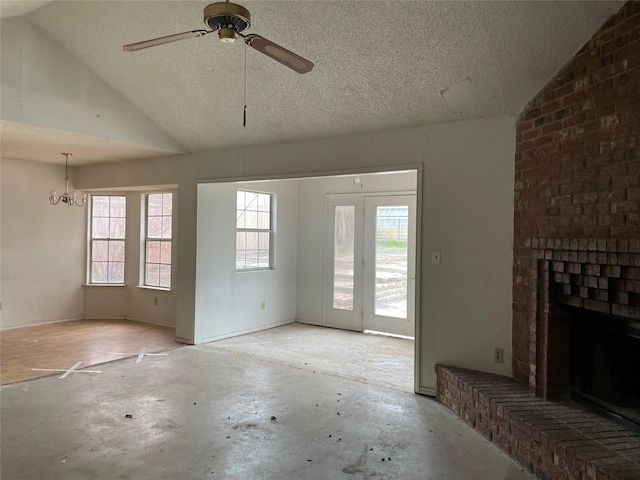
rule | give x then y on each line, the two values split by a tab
605	365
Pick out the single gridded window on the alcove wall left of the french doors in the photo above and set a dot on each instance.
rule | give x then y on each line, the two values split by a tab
242	229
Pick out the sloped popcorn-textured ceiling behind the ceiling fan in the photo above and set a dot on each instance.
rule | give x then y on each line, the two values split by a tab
378	65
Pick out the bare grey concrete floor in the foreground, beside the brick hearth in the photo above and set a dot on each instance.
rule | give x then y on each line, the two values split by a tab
215	413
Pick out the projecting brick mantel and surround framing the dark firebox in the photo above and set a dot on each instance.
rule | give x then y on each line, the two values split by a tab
587	275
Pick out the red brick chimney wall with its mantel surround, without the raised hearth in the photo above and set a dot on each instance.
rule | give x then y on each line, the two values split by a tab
577	197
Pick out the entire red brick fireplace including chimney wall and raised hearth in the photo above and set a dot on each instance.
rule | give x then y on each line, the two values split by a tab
576	262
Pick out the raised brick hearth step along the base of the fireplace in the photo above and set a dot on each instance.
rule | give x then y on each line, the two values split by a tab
554	441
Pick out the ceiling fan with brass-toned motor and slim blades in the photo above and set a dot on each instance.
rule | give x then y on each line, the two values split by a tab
230	20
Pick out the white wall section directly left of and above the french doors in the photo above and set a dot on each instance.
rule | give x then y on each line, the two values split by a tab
312	230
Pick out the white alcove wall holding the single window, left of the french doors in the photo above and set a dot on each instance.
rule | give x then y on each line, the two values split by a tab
229	302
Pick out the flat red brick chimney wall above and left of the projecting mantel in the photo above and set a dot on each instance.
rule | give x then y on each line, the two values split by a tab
577	164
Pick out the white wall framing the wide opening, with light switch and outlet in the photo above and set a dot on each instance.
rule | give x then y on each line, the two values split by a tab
465	200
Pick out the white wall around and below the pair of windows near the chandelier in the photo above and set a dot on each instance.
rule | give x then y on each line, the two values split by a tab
132	301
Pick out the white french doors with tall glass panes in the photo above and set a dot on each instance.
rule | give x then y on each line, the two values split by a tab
370	263
